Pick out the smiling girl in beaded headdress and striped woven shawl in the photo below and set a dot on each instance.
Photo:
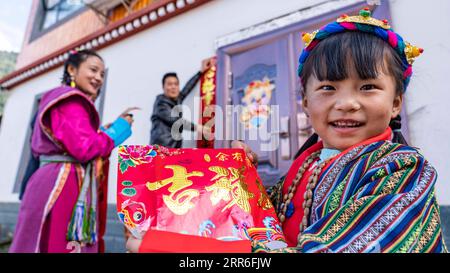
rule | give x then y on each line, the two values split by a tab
356	189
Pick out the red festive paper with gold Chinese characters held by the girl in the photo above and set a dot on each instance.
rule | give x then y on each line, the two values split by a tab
204	199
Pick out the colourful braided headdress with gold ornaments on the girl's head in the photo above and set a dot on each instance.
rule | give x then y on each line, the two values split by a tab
366	23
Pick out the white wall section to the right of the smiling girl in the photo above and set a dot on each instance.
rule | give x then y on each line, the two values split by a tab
427	24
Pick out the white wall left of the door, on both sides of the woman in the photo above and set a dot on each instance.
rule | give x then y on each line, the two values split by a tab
136	66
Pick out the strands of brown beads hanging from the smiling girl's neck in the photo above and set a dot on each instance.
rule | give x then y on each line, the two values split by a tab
308	196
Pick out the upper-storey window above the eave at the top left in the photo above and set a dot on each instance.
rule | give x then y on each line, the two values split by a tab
57	10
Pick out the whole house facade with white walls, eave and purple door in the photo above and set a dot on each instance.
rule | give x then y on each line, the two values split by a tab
253	41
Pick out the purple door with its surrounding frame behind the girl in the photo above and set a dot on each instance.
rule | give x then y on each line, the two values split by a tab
259	77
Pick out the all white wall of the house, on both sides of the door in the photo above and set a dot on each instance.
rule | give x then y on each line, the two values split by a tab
137	64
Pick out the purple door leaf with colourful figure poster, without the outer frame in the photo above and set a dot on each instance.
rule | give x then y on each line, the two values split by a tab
259	90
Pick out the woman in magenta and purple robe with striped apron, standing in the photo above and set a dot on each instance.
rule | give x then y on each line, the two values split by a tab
60	207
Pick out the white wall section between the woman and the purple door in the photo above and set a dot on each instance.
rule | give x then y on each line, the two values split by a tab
138	63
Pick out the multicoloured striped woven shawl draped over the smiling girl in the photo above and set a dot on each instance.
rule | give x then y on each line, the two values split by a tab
374	198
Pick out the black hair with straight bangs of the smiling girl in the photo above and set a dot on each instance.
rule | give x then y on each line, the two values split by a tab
334	58
